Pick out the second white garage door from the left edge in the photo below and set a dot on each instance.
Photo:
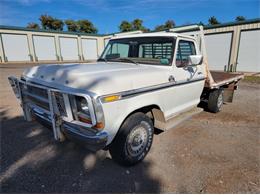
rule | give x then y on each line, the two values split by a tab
44	48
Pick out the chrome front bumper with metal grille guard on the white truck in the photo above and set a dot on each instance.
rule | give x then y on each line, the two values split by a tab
62	126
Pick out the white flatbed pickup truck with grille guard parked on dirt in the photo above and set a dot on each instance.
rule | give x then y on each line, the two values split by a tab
141	82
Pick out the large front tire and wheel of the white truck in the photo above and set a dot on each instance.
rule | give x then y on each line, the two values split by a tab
133	141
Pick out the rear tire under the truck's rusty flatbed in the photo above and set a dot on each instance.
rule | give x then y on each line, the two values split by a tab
215	100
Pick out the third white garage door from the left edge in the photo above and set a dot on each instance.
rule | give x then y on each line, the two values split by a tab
69	48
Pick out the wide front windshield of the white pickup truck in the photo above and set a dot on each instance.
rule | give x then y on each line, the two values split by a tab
146	50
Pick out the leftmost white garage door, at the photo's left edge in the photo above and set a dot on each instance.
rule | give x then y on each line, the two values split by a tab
16	47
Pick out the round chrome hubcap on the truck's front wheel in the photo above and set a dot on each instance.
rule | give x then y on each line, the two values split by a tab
136	141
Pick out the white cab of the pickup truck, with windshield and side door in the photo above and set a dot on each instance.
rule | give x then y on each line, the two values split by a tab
178	59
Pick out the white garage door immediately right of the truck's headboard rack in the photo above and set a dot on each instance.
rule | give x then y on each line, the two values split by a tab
218	50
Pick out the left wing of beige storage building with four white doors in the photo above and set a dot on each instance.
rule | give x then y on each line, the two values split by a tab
33	46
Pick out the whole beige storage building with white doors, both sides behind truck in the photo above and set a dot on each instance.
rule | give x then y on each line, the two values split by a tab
230	46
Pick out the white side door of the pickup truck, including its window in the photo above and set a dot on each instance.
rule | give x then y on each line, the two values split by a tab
189	80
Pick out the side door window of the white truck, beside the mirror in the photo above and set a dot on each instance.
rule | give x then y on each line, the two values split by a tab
185	49
